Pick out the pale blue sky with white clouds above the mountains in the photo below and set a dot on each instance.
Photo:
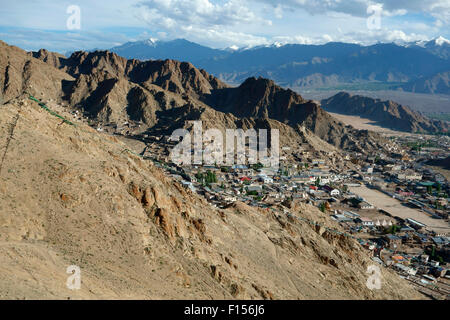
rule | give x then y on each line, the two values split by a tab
85	24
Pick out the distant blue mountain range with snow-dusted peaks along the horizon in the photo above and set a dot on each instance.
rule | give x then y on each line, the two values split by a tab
416	67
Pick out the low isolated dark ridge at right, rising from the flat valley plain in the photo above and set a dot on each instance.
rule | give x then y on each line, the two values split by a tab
388	114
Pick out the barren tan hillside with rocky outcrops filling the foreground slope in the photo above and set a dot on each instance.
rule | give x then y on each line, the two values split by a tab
71	195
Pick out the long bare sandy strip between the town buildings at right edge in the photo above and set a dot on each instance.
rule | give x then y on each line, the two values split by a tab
394	207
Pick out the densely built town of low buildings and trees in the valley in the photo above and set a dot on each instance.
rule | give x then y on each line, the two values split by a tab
406	245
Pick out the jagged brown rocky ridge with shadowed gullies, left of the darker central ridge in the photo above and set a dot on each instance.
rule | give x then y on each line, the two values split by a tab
112	89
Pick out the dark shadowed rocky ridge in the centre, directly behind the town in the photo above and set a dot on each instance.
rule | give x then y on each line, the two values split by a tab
260	98
